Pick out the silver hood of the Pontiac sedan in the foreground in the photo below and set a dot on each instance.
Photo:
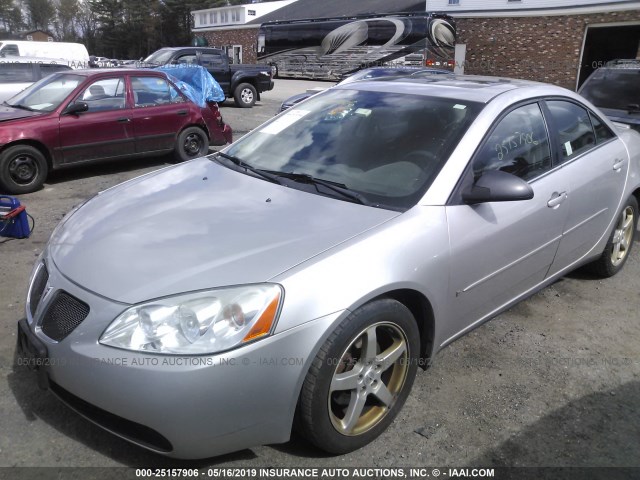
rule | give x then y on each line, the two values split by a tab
195	226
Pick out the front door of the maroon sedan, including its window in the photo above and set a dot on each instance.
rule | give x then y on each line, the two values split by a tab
105	130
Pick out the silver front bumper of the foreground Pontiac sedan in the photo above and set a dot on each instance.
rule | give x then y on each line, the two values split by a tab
180	406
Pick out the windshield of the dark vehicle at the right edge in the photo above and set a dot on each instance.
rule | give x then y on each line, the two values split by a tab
613	88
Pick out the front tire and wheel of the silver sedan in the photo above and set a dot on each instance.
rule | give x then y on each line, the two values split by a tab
360	378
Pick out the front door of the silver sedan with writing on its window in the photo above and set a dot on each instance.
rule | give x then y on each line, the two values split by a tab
500	250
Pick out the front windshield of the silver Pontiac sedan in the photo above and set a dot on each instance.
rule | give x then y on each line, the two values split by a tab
386	148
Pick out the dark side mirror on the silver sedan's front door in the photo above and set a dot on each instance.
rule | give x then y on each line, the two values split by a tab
497	186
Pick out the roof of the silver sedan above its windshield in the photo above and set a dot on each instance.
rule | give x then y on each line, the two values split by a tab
464	87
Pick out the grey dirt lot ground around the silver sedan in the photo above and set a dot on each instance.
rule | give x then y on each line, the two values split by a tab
553	382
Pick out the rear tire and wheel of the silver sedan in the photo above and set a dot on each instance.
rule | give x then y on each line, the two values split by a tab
616	252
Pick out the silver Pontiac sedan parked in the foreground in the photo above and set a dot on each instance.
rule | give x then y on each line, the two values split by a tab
308	269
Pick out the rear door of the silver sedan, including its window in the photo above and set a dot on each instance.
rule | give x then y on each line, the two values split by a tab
595	162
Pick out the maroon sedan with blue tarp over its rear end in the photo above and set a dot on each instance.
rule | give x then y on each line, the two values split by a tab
83	116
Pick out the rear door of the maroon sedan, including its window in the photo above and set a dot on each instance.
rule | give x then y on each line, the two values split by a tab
160	112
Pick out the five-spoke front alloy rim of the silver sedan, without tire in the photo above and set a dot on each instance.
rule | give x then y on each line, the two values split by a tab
368	378
